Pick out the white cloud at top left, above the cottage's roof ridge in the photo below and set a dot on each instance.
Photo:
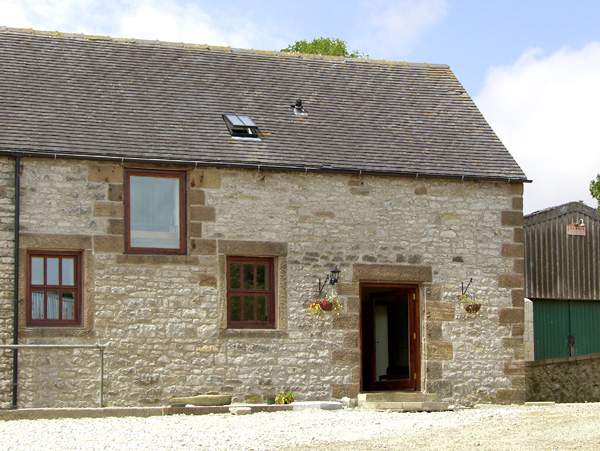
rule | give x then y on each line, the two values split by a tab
167	20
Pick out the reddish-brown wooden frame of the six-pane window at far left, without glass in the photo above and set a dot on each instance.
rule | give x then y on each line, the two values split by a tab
76	288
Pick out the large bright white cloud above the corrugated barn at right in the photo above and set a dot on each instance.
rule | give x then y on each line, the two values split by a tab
545	110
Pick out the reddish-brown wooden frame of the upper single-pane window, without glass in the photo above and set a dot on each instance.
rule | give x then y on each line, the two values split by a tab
181	176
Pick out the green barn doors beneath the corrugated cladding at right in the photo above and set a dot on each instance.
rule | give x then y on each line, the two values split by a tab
565	328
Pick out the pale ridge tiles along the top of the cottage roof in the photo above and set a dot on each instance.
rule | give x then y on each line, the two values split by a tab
159	43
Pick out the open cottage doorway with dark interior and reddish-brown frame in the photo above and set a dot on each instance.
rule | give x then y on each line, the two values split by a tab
390	348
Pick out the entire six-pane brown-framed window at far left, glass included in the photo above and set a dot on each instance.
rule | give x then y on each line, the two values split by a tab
54	288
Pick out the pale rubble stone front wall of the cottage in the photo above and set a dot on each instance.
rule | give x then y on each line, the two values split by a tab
162	316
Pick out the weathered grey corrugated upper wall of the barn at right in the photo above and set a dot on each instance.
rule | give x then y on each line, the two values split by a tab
561	266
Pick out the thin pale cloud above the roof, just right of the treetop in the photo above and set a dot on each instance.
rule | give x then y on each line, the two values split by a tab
393	27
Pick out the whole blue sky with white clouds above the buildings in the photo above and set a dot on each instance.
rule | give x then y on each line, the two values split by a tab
531	66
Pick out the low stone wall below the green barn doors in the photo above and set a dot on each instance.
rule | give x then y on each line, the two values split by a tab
565	379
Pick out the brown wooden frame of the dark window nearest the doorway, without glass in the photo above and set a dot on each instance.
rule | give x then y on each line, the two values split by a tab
269	293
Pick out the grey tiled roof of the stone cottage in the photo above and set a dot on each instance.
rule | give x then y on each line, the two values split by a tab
97	97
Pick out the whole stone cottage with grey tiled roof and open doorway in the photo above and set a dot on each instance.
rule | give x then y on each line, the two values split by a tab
183	205
